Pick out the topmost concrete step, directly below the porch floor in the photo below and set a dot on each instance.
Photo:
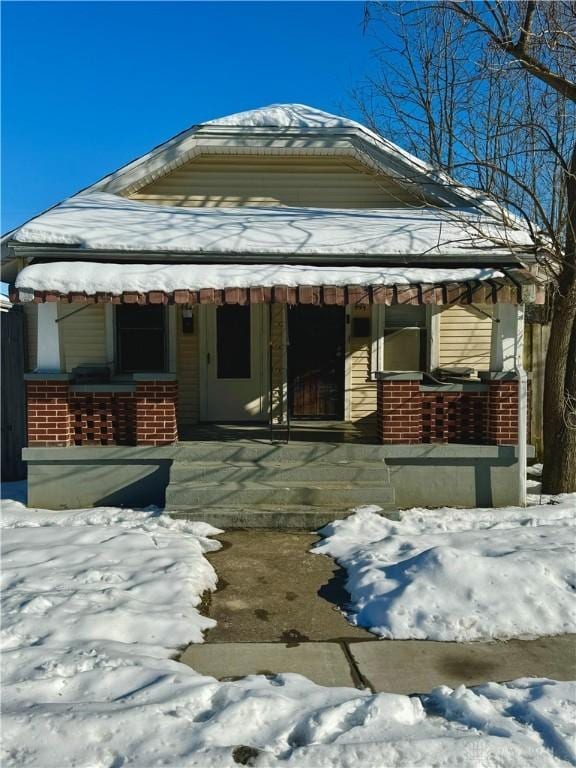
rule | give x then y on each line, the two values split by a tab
278	453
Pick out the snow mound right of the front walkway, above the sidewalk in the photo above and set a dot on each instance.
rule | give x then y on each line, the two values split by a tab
460	574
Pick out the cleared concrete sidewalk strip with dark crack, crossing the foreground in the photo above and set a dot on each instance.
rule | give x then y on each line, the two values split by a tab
395	666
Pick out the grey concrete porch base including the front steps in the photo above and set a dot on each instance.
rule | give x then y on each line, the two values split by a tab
425	475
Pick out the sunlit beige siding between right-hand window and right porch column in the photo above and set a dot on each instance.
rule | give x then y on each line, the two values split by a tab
465	334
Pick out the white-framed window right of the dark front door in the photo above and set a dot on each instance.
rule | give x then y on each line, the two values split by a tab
399	338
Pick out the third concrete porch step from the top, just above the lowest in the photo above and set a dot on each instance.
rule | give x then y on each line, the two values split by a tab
333	495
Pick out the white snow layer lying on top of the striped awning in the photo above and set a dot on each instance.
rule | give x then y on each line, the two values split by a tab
94	277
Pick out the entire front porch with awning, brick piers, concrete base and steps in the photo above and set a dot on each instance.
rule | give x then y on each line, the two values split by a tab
411	427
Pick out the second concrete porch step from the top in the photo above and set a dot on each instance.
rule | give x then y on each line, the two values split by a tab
368	473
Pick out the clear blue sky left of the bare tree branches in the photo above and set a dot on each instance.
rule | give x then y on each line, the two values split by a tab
88	86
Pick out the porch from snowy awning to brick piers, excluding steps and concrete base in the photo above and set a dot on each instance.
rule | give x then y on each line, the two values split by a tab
373	357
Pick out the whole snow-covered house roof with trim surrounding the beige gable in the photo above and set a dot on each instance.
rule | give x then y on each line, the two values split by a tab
457	222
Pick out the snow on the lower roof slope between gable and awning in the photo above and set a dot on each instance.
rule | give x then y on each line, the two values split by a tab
102	221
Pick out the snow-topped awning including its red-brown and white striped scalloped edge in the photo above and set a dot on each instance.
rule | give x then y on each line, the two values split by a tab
255	283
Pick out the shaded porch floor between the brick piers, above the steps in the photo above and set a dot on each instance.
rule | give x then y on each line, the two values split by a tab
302	431
